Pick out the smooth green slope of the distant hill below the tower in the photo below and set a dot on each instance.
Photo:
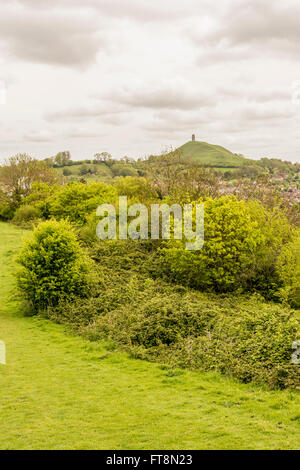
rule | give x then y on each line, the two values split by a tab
212	155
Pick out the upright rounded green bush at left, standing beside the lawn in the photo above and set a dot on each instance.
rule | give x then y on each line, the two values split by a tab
54	266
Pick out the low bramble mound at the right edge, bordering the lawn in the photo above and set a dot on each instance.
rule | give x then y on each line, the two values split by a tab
251	342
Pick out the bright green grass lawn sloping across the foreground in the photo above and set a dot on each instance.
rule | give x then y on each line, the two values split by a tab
58	391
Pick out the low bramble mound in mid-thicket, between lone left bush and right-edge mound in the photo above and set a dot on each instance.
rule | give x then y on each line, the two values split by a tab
160	319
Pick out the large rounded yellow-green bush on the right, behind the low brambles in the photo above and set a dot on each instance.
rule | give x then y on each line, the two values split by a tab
241	239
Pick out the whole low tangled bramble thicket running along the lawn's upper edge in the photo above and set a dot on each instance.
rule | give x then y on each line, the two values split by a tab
239	336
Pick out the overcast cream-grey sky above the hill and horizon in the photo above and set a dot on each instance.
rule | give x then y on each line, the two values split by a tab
133	77
